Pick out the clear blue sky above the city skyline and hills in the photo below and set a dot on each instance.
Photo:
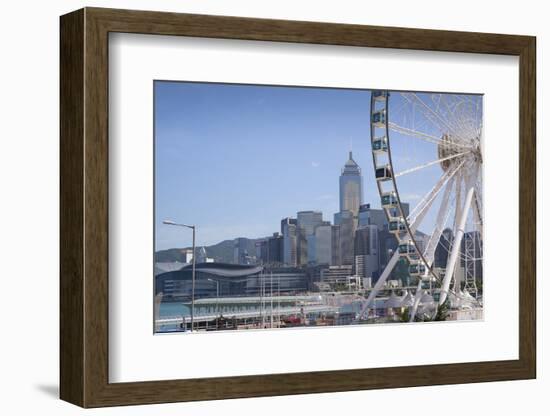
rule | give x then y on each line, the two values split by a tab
236	159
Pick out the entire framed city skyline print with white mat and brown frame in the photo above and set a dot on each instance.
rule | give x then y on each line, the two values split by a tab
255	207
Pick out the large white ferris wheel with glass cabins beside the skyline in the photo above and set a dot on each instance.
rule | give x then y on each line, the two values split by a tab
427	150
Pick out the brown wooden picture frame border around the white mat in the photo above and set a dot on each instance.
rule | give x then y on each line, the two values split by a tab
84	207
